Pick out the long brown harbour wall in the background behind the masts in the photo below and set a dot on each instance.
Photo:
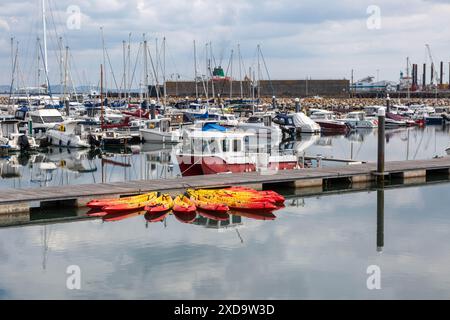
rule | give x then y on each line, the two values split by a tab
278	88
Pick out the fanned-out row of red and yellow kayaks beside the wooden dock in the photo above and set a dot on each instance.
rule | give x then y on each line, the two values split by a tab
218	201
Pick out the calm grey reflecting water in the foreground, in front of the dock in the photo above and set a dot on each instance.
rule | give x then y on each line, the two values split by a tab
316	248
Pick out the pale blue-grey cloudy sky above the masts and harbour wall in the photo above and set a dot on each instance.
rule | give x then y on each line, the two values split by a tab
318	39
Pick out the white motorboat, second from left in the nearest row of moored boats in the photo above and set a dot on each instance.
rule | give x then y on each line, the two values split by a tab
68	134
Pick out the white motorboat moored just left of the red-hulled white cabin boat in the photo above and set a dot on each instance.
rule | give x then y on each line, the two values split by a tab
160	131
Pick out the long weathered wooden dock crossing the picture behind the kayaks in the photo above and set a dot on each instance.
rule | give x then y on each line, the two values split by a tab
22	200
